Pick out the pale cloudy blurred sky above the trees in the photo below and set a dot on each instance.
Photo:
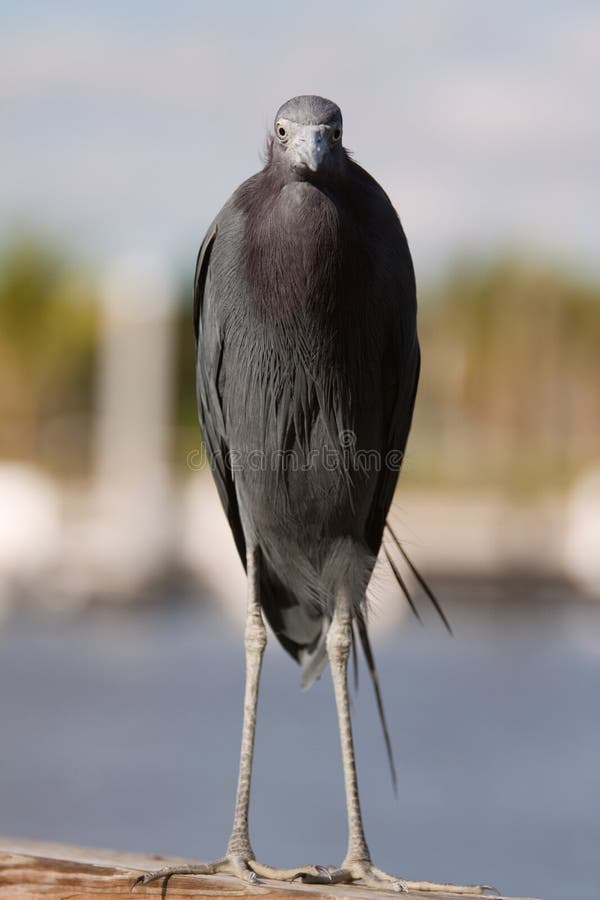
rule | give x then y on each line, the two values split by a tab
125	125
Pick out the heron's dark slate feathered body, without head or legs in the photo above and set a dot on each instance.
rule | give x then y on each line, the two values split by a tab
306	318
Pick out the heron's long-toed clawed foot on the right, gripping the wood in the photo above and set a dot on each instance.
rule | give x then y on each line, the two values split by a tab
365	873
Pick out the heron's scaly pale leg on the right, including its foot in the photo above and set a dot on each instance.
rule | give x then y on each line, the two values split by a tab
357	865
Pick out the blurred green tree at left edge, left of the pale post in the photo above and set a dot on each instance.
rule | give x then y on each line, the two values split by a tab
48	336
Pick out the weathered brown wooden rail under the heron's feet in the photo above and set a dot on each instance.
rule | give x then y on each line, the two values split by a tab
41	871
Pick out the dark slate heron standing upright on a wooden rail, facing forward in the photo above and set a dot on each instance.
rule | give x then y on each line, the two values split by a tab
307	370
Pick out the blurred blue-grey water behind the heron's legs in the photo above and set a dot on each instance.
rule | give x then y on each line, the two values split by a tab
123	731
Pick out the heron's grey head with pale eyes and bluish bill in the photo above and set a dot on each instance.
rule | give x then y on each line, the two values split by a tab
308	135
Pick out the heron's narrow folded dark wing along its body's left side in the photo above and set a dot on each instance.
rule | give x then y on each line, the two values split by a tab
209	355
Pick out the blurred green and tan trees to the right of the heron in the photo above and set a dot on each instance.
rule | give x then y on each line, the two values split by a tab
510	391
